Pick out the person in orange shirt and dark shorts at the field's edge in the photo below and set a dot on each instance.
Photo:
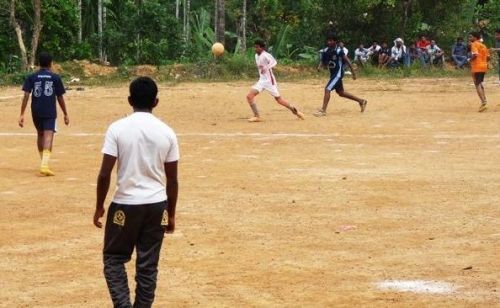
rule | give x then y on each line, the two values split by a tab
479	66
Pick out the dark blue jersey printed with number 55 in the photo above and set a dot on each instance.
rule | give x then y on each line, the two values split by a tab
44	87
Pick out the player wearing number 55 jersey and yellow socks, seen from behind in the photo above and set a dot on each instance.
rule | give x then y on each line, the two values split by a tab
45	87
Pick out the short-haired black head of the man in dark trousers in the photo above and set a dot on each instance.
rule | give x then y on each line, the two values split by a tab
143	92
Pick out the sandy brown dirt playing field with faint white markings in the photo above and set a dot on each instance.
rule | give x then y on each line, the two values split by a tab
322	212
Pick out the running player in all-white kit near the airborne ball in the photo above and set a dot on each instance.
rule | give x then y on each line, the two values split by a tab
265	63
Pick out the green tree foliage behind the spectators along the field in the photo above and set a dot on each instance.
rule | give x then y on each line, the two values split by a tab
148	31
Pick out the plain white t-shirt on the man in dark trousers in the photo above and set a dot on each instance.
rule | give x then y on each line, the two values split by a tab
142	145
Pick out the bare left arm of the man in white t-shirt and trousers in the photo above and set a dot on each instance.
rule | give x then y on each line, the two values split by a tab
103	181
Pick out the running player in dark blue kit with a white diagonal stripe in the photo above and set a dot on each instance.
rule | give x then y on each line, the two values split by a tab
334	58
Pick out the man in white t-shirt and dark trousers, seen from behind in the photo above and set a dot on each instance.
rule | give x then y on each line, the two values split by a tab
143	206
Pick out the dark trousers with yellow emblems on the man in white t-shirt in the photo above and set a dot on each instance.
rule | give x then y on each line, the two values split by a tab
128	227
